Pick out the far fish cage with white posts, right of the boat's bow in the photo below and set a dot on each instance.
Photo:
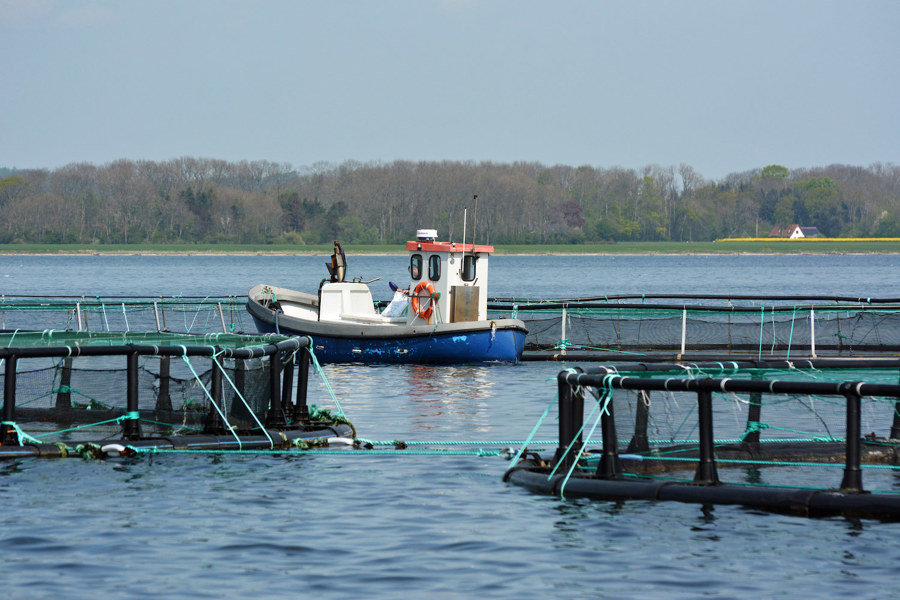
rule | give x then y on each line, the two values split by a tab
618	327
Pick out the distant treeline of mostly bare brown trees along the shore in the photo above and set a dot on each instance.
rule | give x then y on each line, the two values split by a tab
206	200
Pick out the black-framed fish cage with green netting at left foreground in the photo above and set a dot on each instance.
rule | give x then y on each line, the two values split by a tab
99	394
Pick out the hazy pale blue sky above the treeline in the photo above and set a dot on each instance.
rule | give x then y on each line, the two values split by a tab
724	86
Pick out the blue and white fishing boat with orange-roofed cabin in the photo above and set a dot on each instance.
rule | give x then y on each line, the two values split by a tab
440	317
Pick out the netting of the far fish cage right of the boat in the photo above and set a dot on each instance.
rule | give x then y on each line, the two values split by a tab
761	330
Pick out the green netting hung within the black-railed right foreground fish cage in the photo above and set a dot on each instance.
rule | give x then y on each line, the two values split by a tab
658	432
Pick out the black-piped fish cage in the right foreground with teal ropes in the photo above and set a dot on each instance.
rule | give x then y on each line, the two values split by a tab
766	435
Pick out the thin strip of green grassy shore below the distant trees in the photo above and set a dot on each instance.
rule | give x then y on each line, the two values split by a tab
731	246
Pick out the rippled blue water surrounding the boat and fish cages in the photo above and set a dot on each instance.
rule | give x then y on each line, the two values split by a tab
198	526
